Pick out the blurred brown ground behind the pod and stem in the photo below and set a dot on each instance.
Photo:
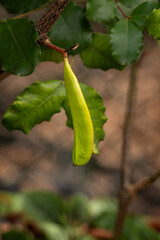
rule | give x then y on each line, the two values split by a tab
43	159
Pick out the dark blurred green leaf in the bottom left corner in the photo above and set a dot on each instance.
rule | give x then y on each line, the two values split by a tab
16	235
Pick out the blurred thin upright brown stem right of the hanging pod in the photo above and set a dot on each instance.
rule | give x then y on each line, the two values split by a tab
124	196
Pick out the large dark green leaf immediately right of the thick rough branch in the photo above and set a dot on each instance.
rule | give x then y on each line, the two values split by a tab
71	27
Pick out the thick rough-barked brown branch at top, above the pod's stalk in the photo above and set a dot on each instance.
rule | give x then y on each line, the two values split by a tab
50	16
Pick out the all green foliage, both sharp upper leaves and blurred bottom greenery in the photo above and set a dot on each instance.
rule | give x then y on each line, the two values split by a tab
121	44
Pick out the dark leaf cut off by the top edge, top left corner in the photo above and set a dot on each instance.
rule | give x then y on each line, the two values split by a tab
19	6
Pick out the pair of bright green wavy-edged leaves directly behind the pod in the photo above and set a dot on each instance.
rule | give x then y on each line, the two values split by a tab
41	100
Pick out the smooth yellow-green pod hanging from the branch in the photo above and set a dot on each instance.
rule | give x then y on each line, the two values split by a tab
82	123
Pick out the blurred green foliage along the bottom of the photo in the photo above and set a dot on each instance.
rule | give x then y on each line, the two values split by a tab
64	219
